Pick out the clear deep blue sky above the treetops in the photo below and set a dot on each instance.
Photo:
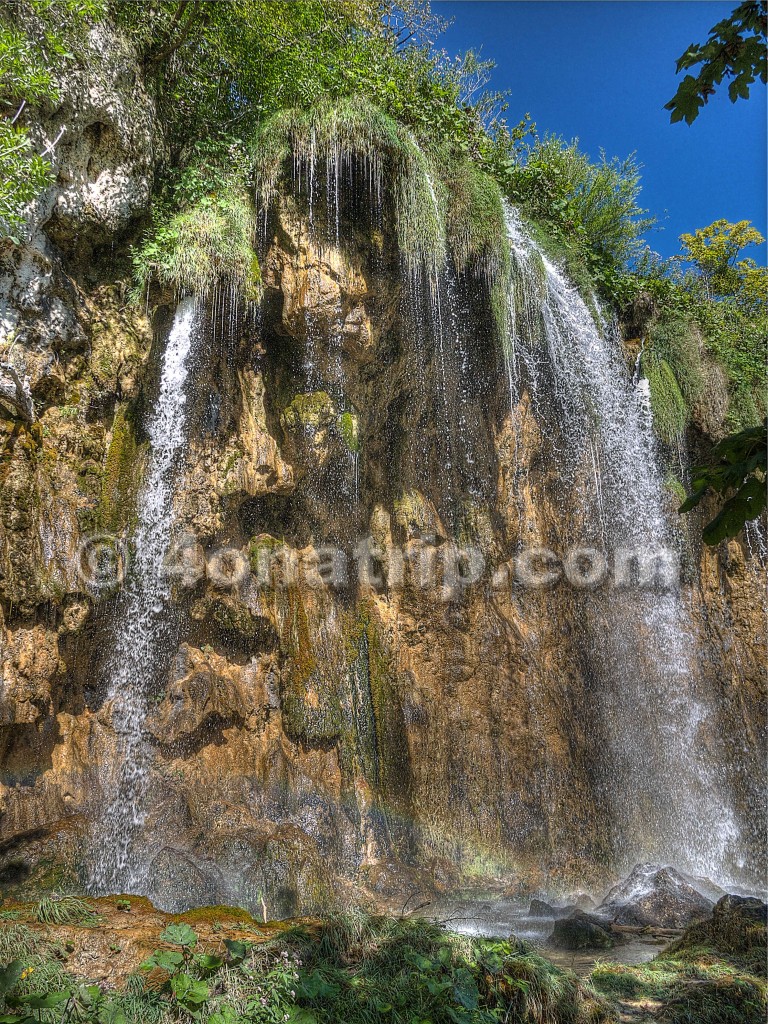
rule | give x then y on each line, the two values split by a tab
603	72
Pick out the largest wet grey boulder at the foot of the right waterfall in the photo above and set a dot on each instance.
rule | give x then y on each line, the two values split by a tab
657	898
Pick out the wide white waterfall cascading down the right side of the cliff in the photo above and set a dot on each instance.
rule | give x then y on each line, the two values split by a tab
659	776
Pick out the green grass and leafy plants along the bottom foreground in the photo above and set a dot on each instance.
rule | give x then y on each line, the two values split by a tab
357	969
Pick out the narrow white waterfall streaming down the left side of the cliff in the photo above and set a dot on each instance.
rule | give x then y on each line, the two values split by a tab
144	621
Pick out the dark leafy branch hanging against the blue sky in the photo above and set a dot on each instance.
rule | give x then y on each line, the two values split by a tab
736	50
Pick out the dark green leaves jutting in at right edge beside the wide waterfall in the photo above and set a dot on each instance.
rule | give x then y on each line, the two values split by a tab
738	470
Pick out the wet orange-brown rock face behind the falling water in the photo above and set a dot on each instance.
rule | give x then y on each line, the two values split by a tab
360	699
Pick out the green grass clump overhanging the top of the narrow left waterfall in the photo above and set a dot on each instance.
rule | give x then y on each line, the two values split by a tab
203	248
